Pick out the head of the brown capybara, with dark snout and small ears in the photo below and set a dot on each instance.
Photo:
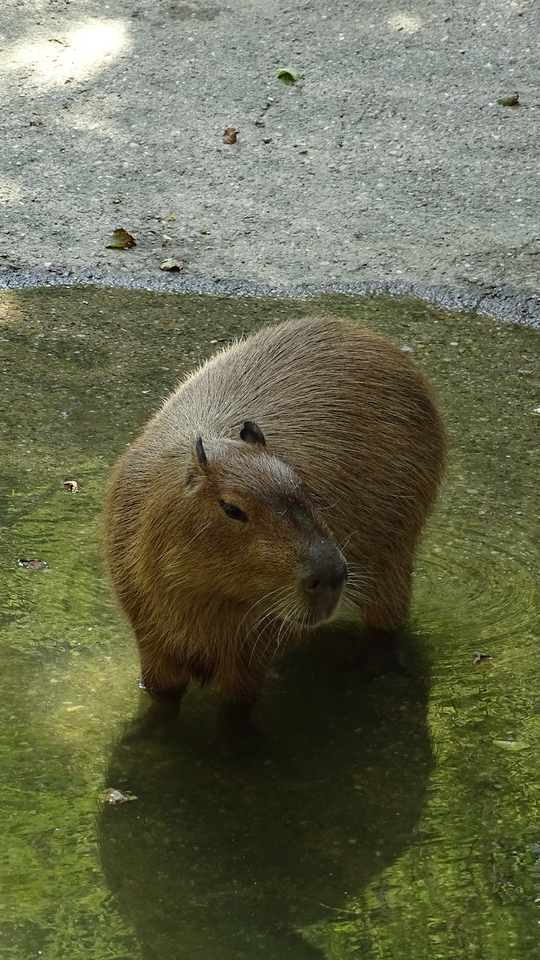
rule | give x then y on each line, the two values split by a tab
251	535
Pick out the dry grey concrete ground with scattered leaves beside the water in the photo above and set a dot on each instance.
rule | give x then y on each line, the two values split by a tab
389	164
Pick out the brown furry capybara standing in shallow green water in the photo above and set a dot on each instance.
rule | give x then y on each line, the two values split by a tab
289	476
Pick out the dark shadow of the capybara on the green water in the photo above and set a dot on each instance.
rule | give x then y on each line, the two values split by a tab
230	861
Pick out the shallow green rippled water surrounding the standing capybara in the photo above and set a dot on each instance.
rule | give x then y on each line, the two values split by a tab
396	820
